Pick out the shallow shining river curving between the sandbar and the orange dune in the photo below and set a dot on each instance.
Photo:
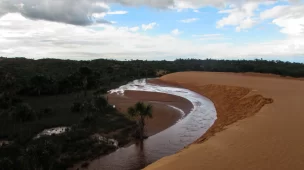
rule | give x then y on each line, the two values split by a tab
184	132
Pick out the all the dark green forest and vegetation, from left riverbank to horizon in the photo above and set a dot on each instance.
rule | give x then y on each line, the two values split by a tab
47	93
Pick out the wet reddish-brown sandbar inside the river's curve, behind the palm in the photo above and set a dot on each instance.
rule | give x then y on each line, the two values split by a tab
164	116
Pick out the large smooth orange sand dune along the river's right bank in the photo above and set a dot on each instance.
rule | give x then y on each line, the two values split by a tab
269	138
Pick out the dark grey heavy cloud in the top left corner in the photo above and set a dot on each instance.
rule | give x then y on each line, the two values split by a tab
64	11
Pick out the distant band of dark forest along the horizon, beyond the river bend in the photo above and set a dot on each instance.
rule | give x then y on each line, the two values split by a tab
54	76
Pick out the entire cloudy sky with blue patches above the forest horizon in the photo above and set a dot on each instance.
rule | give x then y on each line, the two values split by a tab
153	29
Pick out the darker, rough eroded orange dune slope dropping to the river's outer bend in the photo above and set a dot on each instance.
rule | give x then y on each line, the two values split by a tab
232	104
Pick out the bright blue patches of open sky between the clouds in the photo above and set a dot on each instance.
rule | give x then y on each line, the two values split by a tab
207	18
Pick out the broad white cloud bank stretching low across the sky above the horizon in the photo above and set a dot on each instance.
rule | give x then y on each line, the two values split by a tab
38	39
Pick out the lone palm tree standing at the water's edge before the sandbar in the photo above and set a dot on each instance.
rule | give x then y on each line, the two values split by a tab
140	112
